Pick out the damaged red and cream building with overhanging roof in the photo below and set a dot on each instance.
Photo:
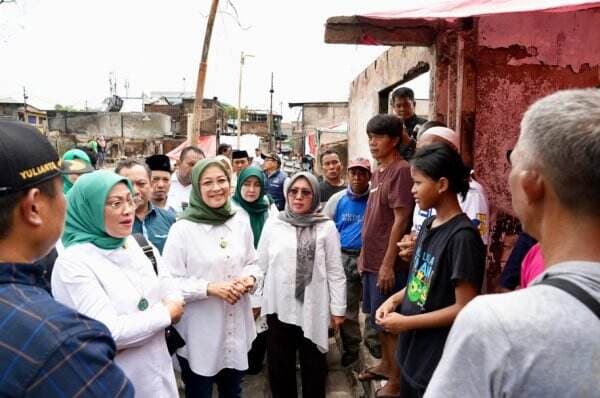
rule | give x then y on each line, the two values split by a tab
488	61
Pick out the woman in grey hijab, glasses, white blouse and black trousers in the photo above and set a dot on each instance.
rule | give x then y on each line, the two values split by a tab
304	289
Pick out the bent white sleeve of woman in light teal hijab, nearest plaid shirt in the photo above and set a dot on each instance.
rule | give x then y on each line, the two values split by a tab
88	296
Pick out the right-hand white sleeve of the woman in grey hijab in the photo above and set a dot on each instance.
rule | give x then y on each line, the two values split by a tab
336	277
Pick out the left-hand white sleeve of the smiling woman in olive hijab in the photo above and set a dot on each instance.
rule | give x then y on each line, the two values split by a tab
174	256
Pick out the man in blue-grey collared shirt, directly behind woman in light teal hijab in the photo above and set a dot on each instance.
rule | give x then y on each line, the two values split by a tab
151	221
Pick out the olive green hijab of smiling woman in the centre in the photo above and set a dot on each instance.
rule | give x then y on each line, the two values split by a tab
200	212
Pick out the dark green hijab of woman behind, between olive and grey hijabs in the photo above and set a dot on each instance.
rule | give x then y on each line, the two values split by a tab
259	209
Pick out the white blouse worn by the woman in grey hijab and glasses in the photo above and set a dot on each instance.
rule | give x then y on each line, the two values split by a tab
325	295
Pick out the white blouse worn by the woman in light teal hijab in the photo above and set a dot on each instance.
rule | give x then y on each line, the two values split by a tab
107	285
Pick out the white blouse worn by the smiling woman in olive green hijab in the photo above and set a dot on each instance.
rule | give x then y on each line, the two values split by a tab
218	335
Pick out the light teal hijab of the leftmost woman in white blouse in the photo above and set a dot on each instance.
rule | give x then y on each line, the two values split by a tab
85	210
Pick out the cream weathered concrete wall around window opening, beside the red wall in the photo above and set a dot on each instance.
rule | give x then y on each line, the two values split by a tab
395	66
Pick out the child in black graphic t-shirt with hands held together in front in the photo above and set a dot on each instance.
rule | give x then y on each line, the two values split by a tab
446	271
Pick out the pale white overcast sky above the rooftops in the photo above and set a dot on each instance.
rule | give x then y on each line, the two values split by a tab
63	51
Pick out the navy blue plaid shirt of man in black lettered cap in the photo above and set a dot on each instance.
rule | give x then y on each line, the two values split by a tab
48	350
